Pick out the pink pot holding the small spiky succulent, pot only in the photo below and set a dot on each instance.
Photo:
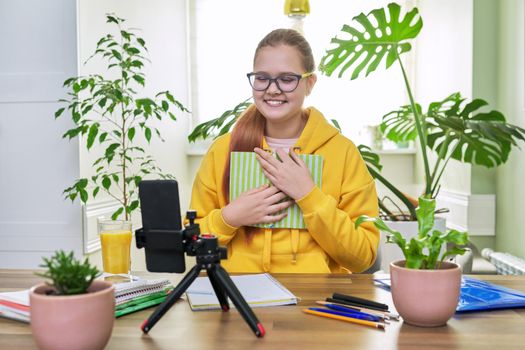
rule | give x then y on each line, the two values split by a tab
81	321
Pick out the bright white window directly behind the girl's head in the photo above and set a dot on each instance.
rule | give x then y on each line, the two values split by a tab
224	35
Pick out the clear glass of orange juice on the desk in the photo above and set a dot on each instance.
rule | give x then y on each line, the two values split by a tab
115	238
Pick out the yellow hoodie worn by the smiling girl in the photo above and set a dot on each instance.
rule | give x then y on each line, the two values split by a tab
331	243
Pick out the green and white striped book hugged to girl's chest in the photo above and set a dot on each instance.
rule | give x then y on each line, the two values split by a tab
246	174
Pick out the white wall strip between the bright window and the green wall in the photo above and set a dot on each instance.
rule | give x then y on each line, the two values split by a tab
444	65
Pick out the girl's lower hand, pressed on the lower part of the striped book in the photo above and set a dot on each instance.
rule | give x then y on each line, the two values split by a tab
256	206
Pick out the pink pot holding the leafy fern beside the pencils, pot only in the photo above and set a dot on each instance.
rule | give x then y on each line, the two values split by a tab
426	298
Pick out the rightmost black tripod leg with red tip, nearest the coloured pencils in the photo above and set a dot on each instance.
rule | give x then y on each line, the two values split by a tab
238	300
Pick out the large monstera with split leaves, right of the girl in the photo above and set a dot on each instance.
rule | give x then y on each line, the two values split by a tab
453	128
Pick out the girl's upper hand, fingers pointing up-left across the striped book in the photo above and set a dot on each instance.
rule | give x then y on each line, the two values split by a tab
290	174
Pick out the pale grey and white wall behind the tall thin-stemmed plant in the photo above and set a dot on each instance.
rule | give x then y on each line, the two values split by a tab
39	51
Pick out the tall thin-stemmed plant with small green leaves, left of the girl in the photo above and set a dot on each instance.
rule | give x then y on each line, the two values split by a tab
107	110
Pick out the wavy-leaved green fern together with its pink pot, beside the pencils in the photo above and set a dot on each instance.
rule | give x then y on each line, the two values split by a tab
425	288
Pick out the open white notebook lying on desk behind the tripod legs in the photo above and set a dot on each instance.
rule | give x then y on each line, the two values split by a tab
258	290
